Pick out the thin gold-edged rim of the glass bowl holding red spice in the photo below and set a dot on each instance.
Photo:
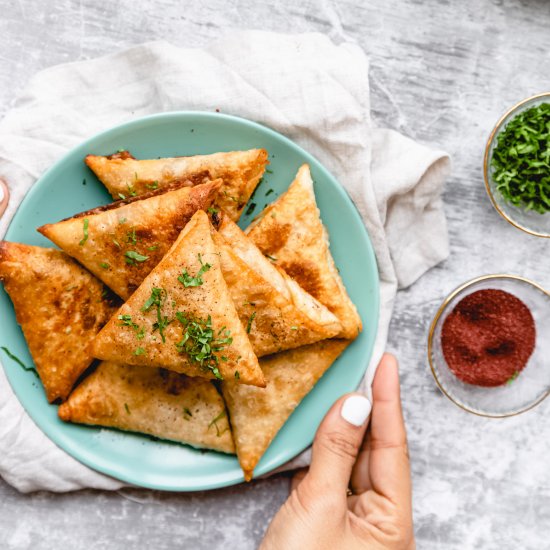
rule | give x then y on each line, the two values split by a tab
431	334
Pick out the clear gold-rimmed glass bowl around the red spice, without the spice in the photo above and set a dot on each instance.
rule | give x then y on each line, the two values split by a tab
533	383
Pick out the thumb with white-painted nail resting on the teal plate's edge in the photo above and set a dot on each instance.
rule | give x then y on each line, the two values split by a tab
337	444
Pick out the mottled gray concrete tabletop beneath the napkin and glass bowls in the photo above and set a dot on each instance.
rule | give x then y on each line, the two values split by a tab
441	72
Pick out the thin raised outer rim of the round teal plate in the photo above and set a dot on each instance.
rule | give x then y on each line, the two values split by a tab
354	378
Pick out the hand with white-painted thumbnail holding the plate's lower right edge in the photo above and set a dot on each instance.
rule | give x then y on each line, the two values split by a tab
319	514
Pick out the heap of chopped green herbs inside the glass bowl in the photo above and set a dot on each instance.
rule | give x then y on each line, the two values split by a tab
521	160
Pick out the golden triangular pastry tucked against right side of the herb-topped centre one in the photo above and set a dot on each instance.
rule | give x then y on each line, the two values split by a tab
276	312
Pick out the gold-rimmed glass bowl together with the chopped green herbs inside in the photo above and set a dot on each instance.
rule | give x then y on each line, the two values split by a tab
517	165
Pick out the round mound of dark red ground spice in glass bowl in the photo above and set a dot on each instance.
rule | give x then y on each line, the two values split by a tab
488	337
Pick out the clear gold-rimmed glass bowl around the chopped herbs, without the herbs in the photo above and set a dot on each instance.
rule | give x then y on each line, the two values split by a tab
528	221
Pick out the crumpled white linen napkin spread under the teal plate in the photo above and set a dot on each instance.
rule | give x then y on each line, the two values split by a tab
303	86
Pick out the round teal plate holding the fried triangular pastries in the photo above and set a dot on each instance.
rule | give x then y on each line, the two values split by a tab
70	187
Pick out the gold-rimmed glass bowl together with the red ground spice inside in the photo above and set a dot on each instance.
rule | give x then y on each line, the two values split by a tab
488	345
